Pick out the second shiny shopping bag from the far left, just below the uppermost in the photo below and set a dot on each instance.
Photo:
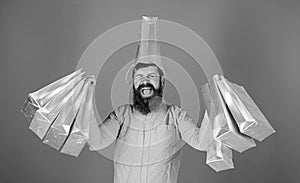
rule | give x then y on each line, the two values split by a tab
43	117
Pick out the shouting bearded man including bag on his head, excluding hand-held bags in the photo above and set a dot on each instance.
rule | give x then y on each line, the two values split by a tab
148	135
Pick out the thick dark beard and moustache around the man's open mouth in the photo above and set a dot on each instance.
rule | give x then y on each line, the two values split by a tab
147	105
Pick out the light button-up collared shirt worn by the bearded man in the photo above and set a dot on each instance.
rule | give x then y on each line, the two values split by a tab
147	148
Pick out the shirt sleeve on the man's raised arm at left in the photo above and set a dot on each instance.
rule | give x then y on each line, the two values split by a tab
102	135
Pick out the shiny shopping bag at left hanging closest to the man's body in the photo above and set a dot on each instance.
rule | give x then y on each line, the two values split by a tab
80	130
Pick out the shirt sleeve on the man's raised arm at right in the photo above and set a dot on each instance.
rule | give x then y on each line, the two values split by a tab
197	137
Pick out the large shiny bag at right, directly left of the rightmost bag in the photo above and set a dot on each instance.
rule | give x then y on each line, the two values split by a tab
224	127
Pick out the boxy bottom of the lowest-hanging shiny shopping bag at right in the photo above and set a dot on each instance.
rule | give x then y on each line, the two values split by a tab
219	157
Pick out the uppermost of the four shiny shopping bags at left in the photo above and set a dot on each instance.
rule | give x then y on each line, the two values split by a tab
39	98
